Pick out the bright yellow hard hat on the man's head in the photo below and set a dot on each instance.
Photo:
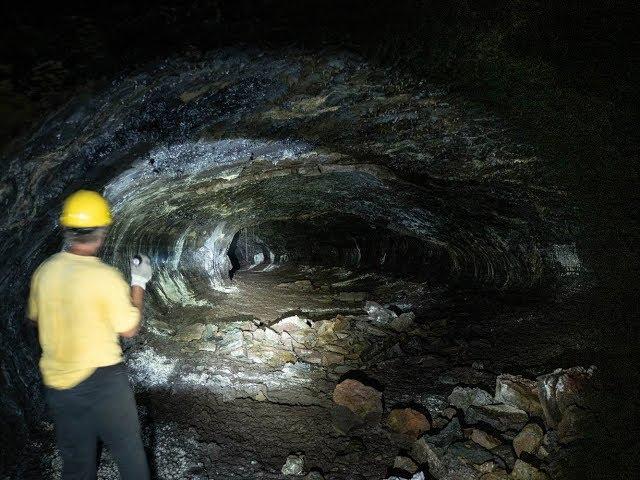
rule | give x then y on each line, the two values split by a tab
85	209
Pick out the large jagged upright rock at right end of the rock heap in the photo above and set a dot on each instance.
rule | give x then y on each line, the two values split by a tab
565	398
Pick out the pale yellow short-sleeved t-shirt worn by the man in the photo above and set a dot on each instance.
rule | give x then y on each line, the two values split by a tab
80	304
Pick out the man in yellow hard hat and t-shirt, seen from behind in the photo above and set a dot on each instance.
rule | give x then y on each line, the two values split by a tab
81	306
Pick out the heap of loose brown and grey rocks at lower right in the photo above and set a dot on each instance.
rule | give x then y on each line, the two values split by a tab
487	437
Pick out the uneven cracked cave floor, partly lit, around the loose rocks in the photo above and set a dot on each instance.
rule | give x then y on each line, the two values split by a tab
221	402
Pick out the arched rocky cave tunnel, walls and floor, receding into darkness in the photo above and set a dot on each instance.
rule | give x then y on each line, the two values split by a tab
356	272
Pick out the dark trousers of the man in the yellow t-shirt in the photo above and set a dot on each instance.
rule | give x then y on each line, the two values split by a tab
101	407
